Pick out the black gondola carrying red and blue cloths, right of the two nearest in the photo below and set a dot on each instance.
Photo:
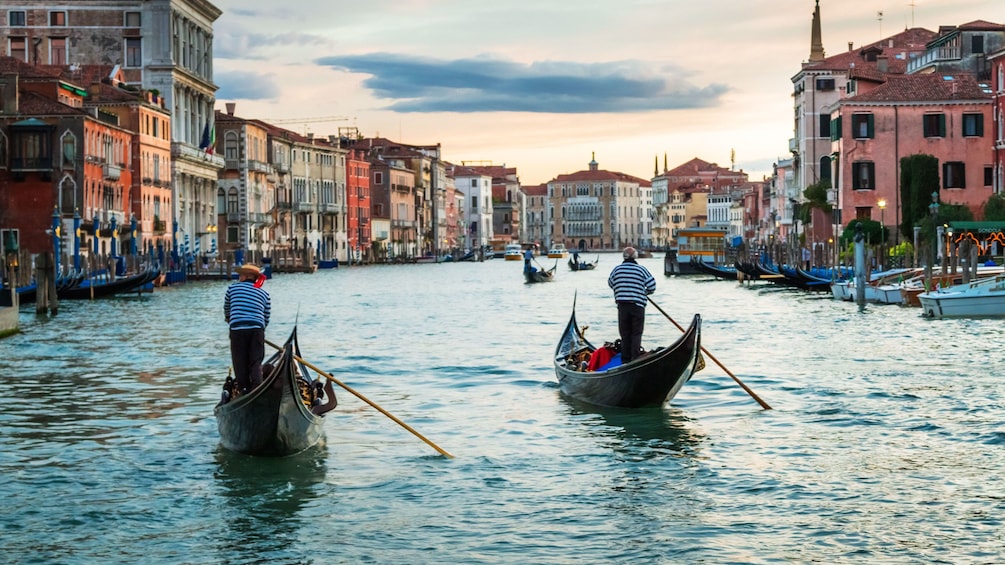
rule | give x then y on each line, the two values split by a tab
651	381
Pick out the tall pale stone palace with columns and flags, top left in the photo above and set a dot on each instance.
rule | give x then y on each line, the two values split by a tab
164	47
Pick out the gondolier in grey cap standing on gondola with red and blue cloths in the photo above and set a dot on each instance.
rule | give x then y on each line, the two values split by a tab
633	284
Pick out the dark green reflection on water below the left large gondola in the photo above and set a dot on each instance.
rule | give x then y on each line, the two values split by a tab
263	499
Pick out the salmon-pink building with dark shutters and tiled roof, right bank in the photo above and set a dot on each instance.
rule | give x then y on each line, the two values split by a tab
940	115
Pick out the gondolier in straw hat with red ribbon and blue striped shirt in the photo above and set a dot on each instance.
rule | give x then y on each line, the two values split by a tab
247	308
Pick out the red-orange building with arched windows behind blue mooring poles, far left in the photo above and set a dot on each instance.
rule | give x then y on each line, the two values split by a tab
62	167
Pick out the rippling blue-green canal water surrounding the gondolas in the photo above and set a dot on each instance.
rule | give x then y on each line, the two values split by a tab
885	445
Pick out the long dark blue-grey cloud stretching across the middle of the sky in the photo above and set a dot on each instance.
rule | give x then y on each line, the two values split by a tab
491	85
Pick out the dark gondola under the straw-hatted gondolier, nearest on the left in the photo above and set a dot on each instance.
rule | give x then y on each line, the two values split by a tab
281	417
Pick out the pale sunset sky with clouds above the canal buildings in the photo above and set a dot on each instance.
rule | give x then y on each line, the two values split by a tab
544	86
